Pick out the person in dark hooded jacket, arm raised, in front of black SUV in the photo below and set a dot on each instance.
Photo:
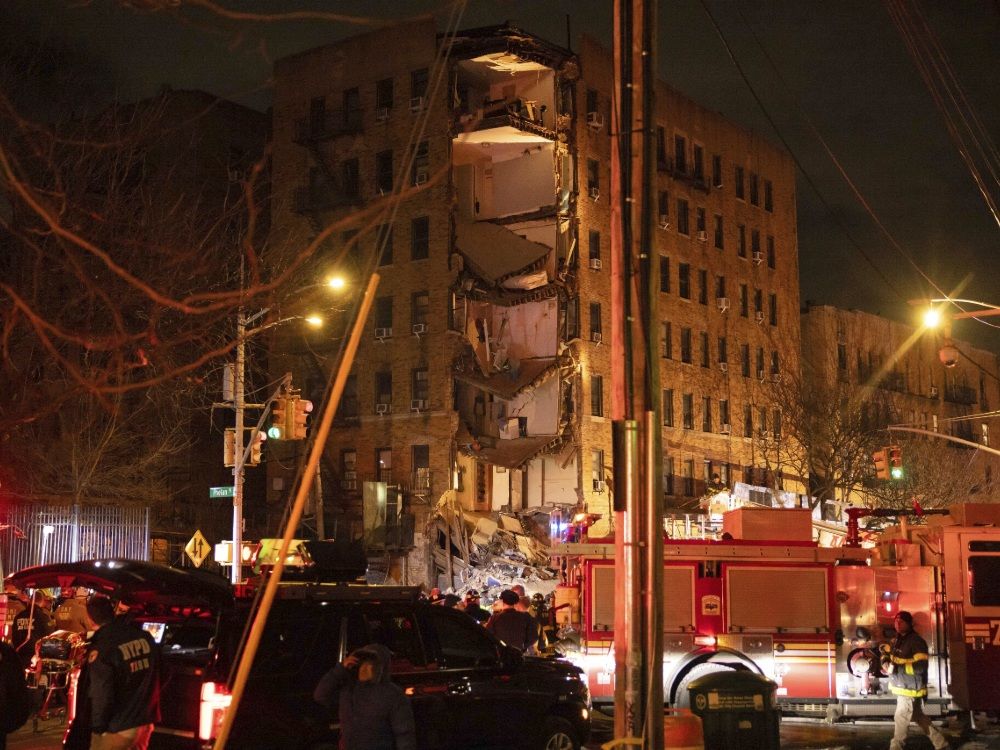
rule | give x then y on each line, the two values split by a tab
374	713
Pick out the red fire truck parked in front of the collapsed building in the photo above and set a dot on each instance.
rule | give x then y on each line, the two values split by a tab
767	598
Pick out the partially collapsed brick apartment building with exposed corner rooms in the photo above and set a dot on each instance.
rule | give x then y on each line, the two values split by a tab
485	367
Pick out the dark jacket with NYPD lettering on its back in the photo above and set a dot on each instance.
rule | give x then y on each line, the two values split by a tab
123	667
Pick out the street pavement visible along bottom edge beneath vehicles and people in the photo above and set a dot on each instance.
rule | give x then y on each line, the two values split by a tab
796	734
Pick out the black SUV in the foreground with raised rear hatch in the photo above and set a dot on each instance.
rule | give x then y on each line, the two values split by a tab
468	690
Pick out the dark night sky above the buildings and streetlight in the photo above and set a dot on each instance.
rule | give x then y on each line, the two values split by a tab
842	65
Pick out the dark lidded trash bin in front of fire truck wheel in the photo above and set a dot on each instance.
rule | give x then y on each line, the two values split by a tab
737	710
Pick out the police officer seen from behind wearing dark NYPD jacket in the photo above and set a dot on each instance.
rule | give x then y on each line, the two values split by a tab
123	681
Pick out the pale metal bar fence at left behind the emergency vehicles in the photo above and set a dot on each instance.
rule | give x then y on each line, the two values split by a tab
42	534
